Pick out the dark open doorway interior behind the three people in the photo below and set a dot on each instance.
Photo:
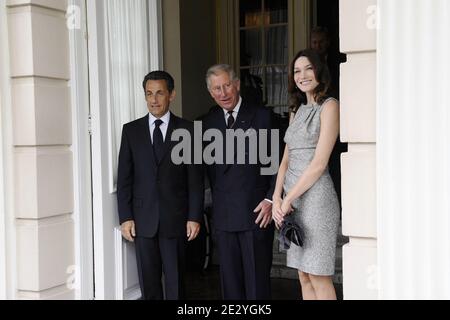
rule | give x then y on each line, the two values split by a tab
244	30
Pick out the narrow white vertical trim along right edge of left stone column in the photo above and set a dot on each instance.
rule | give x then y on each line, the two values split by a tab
79	85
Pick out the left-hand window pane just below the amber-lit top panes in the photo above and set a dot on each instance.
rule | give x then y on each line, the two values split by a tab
251	47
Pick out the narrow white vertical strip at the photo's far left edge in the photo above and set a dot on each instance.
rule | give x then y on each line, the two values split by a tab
8	275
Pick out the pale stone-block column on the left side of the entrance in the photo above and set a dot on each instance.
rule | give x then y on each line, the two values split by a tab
43	187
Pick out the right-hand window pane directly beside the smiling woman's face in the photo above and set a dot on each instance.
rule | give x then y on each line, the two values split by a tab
277	86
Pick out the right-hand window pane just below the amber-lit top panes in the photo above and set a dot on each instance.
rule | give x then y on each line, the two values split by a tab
277	45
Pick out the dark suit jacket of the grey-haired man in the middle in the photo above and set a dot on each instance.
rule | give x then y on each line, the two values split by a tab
238	189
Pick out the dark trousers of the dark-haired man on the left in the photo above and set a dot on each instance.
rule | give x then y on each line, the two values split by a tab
158	255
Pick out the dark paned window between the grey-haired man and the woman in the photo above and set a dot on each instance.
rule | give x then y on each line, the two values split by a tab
264	52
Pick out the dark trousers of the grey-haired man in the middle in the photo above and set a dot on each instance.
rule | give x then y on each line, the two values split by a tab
245	261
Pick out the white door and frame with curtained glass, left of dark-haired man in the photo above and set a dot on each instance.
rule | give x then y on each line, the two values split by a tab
109	67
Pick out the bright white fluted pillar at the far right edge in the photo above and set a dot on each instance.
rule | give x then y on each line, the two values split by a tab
413	145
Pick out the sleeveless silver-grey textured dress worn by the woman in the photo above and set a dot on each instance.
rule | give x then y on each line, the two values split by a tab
317	210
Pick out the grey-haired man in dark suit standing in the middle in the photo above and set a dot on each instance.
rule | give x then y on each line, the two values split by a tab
241	195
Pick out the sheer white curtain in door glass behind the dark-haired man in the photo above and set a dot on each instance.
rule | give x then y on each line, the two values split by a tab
128	52
